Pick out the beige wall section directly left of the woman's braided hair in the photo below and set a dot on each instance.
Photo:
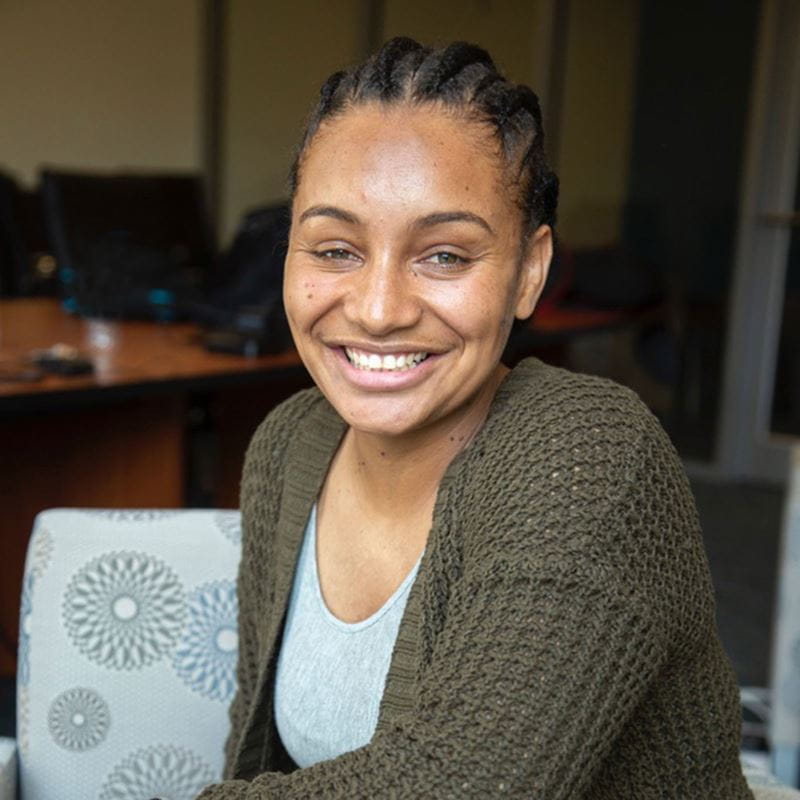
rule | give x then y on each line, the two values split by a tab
279	53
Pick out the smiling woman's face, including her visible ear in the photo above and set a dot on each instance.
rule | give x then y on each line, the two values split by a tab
405	267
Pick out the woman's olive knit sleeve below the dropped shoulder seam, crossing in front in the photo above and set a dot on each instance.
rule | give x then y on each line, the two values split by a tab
530	685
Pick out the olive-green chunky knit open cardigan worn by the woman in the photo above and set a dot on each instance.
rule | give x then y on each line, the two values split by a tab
559	640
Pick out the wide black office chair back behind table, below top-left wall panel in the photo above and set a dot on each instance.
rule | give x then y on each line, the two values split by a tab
129	244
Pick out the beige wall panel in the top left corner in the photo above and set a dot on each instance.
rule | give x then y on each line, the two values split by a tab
100	84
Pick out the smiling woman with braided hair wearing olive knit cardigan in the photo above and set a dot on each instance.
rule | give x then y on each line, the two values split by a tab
459	581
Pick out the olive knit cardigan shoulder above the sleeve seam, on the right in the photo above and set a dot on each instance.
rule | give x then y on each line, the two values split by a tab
576	478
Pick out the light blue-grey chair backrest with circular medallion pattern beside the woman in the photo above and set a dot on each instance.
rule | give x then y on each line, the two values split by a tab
127	653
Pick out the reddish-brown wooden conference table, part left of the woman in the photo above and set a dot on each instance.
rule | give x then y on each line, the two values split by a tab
126	435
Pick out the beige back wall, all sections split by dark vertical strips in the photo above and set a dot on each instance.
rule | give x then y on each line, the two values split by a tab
118	83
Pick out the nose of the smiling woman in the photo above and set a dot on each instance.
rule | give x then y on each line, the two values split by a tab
383	297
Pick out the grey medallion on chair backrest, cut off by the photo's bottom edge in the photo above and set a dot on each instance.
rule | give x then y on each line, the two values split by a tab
163	771
